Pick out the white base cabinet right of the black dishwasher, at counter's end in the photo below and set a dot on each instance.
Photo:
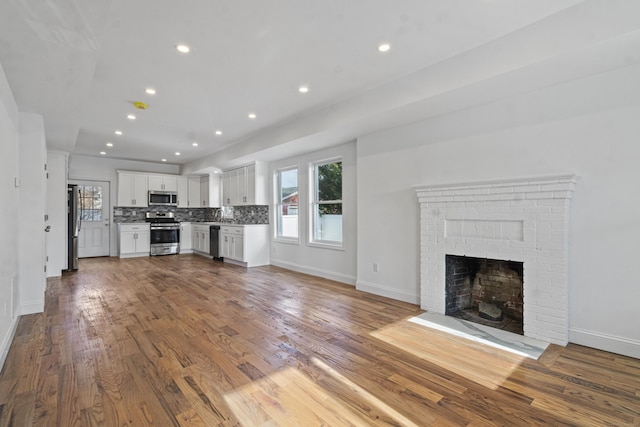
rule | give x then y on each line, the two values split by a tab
246	245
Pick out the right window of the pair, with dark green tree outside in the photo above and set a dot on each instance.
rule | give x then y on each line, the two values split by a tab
326	221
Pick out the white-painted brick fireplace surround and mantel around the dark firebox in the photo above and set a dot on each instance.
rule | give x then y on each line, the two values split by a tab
523	220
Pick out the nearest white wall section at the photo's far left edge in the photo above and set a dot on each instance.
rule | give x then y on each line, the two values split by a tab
9	172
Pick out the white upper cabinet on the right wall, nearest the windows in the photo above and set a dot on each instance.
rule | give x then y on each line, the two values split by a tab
245	186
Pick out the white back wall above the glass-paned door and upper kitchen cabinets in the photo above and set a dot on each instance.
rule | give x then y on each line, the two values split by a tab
104	169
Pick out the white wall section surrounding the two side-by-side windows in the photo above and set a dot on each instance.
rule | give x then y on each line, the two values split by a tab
334	264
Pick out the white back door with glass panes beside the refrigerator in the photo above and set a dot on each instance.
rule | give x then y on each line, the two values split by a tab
94	206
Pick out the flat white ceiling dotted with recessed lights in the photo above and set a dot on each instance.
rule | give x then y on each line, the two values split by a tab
82	64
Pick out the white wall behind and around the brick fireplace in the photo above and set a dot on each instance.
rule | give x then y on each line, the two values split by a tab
587	125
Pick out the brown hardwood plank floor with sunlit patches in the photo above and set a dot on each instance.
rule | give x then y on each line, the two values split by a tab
182	340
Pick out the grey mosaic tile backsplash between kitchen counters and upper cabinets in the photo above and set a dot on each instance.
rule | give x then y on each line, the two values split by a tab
258	214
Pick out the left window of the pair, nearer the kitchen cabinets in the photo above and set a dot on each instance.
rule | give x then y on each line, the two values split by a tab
287	203
